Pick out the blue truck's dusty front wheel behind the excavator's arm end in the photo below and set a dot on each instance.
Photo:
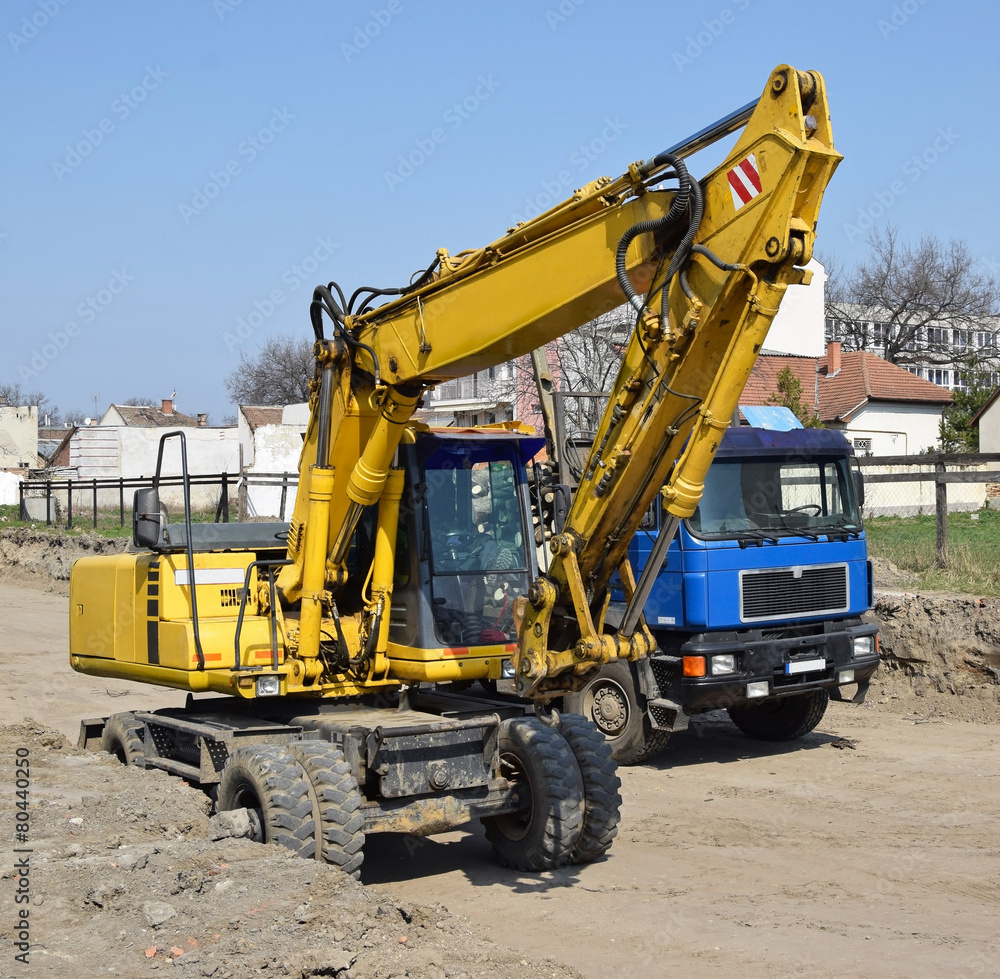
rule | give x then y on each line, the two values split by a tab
611	701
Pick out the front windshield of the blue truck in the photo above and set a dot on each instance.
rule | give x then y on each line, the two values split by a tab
776	497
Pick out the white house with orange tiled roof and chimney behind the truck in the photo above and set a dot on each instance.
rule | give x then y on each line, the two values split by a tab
883	409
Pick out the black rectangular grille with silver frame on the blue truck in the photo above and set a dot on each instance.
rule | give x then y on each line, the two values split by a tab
792	592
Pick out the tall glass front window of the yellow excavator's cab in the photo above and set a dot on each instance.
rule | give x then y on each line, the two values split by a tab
478	553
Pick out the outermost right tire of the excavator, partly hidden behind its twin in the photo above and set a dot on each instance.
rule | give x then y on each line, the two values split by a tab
601	787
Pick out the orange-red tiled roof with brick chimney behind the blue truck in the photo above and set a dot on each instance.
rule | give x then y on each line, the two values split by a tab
863	377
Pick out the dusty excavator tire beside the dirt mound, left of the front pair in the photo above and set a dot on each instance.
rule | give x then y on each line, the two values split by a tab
270	781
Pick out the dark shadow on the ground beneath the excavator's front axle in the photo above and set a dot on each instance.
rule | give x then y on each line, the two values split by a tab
392	857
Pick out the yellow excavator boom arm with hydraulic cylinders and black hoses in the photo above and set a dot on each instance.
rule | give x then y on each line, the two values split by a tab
704	265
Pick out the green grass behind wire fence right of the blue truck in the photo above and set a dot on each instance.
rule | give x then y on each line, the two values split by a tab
973	550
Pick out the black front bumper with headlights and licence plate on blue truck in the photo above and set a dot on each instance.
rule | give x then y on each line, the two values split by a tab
769	666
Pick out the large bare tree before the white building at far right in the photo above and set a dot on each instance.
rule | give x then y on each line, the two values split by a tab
927	304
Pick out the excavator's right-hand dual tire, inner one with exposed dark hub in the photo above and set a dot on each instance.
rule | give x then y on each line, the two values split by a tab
539	760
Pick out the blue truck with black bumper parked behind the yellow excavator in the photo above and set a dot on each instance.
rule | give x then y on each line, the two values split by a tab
757	609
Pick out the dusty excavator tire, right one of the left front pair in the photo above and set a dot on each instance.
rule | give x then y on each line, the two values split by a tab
338	804
